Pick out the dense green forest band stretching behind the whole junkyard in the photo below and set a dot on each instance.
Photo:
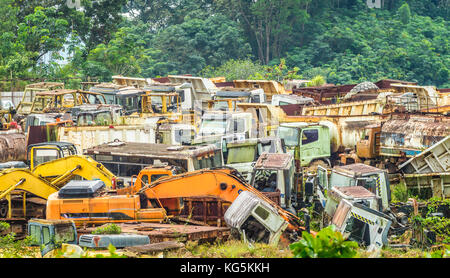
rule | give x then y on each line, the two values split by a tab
341	40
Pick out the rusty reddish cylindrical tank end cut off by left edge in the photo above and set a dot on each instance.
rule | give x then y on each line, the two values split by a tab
13	147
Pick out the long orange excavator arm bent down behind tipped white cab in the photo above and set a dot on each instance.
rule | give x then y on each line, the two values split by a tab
222	183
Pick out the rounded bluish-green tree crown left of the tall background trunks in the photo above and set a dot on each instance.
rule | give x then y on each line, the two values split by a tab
190	46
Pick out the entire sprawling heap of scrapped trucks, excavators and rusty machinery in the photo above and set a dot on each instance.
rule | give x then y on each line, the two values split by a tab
191	159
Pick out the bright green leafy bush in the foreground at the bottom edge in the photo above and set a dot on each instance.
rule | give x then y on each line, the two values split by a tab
328	243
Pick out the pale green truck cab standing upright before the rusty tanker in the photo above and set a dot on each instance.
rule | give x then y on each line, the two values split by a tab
307	142
